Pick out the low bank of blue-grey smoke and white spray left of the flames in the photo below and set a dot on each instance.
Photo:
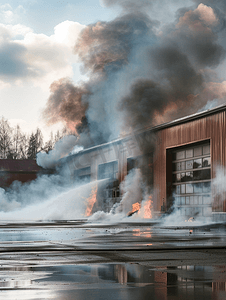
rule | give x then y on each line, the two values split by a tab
55	202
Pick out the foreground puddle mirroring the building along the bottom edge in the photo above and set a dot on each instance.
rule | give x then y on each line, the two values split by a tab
112	281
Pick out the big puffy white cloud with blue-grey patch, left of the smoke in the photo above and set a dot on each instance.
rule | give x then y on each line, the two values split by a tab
28	56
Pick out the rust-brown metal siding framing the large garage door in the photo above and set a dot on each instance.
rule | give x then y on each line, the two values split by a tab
211	127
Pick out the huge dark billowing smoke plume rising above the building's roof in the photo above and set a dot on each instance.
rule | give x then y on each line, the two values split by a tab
141	73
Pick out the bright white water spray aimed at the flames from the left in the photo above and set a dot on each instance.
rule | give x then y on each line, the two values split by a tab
69	204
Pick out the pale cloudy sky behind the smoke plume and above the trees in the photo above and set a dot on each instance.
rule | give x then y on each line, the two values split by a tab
37	41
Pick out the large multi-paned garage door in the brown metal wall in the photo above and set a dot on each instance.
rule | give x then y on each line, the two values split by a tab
192	179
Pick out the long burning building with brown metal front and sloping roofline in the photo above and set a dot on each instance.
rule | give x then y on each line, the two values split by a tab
179	170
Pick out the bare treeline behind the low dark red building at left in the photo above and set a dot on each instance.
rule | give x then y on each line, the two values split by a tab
14	144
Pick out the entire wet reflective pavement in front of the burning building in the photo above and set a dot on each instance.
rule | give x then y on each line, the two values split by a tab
78	260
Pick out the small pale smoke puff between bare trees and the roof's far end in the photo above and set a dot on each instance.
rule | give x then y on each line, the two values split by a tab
62	148
